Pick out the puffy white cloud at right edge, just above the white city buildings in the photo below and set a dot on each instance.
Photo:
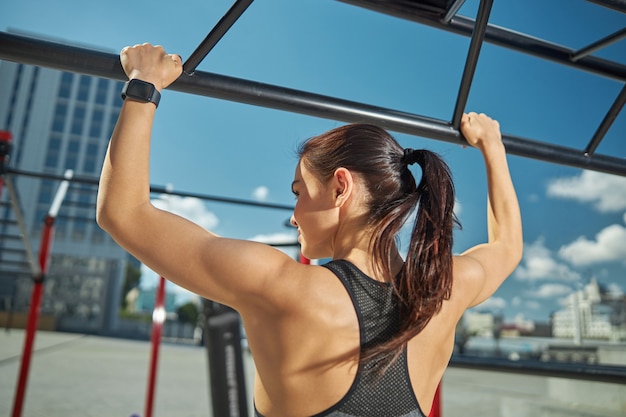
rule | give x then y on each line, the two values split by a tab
609	245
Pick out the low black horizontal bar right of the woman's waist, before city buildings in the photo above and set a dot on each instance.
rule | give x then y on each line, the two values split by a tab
595	373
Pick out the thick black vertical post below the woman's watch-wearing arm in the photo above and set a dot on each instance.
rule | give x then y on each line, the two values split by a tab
222	333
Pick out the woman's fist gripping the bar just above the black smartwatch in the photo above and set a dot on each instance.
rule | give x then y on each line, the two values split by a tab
151	64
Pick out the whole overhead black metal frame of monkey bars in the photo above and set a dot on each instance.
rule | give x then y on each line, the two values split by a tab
440	14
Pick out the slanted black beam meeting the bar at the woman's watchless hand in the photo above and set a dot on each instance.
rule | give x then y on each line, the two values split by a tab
484	10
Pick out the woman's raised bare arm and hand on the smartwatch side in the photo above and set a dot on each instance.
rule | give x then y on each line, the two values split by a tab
229	271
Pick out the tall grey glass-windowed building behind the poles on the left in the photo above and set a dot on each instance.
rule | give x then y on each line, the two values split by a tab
59	121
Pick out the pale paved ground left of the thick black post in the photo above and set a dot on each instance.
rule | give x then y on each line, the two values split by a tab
87	376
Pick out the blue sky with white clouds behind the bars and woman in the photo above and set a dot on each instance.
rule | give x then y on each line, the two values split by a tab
574	220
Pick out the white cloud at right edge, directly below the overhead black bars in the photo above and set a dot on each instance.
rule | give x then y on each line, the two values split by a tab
606	192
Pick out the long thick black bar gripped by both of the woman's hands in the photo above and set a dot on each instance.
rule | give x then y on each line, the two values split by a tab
70	58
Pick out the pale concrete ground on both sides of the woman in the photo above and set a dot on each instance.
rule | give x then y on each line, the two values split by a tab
91	376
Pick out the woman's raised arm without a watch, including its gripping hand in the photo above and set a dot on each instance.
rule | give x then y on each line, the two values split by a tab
483	268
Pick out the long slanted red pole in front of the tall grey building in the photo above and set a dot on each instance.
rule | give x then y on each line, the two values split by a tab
33	315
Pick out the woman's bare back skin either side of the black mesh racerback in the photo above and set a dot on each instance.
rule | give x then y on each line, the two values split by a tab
314	349
